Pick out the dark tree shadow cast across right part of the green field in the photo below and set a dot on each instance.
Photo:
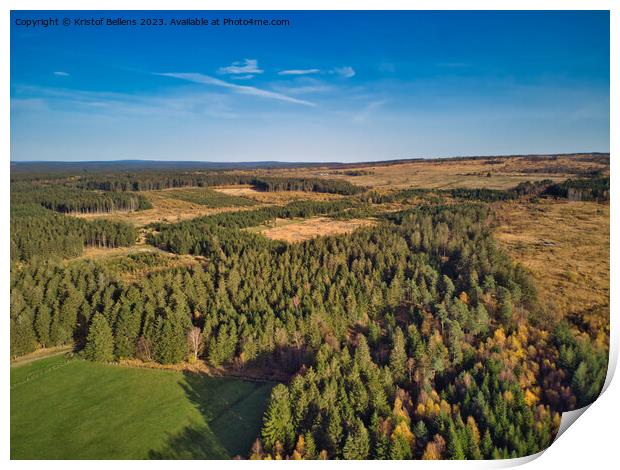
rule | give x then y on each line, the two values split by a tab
232	411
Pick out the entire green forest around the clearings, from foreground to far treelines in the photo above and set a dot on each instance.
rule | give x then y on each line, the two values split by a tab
415	338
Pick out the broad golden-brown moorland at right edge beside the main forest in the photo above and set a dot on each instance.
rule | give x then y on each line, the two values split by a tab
566	247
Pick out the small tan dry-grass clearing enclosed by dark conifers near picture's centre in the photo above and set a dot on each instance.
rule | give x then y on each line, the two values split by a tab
295	230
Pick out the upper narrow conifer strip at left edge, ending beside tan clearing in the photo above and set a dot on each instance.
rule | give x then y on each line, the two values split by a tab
65	199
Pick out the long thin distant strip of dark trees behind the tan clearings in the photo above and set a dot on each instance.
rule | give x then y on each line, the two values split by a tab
157	181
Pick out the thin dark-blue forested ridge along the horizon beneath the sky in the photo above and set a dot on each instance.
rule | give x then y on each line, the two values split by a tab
48	167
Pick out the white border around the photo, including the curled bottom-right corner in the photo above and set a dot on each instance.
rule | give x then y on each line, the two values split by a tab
591	444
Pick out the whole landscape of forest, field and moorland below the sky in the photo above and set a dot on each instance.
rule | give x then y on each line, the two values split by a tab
410	309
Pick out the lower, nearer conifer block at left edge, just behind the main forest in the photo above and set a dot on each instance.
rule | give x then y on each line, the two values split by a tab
39	233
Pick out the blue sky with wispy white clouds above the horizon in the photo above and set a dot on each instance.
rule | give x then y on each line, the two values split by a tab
341	86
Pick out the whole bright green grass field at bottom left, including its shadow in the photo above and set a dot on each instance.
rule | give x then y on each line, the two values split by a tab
74	409
